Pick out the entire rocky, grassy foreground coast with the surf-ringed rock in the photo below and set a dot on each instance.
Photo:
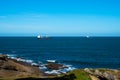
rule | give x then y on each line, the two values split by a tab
15	69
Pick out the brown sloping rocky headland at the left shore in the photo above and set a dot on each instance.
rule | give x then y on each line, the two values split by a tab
12	68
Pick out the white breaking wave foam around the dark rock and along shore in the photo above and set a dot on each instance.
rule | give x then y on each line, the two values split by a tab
43	67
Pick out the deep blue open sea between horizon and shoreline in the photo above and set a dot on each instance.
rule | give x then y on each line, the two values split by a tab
81	52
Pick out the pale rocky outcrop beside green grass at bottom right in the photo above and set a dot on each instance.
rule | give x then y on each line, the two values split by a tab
103	74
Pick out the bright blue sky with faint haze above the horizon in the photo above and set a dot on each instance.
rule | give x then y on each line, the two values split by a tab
60	17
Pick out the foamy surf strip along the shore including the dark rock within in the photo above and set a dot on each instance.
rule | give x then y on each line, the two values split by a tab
49	68
